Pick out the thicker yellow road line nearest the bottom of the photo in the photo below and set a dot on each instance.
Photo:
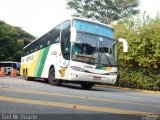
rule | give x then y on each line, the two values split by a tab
72	106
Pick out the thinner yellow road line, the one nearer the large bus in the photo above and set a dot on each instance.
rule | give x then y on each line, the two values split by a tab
73	96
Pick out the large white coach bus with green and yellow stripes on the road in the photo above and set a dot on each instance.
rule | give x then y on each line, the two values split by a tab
76	50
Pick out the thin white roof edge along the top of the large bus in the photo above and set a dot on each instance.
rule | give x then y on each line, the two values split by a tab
71	18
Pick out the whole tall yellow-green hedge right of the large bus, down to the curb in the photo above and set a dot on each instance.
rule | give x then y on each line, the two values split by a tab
140	67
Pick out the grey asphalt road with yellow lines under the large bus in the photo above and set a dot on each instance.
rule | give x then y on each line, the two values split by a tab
20	99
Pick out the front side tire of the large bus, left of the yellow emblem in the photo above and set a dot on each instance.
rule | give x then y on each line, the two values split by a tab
51	78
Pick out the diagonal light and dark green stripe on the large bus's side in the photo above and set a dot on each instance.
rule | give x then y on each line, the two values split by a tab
41	62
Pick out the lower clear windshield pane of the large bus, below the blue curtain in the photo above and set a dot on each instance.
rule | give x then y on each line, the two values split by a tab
93	49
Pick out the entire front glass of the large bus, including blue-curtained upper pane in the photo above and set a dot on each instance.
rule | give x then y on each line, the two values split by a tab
94	44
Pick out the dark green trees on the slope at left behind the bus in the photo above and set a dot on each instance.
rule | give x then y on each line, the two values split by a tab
12	40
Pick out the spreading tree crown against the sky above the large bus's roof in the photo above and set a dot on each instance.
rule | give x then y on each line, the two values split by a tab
104	11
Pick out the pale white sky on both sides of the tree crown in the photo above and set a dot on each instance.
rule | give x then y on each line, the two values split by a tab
39	16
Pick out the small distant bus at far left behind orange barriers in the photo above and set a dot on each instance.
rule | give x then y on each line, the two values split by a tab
10	64
